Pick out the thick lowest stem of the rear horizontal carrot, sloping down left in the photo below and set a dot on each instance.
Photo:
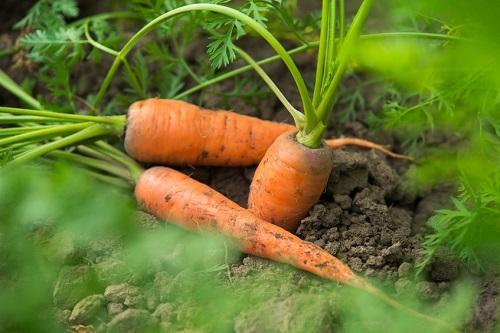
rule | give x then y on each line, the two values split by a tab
88	133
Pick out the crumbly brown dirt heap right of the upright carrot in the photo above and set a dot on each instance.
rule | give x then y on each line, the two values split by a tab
360	220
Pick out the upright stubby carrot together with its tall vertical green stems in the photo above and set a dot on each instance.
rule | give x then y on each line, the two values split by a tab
284	189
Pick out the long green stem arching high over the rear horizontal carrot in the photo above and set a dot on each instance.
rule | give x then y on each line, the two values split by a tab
263	32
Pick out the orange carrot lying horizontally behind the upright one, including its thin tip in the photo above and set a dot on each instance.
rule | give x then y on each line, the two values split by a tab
173	132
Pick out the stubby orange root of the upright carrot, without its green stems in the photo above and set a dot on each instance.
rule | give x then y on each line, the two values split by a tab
289	181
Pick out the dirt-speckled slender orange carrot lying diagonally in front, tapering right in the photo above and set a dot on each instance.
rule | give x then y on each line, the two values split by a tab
177	198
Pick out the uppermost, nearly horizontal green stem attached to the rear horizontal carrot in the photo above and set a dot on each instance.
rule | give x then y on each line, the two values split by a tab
115	120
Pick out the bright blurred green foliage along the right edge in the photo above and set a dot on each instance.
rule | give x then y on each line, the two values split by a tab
450	109
